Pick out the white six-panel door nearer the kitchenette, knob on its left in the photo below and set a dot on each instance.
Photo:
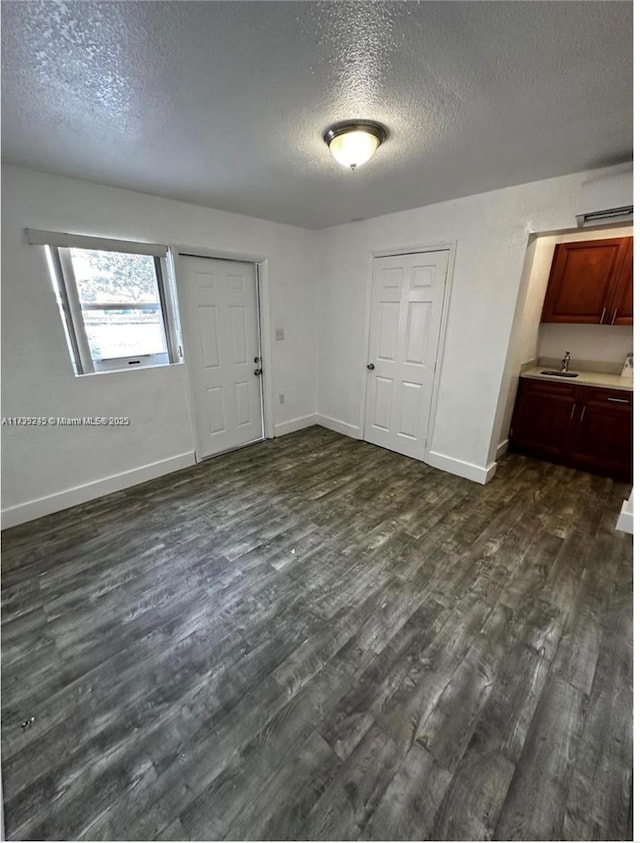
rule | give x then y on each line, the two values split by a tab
406	311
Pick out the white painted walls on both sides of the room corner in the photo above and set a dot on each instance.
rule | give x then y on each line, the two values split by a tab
319	285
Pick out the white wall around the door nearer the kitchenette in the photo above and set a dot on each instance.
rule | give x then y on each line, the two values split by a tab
491	234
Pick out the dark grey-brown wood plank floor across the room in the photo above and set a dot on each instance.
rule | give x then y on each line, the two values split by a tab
314	638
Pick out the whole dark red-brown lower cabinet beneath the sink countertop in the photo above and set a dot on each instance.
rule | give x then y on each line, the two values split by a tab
584	427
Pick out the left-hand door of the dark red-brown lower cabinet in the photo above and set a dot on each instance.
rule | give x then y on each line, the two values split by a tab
543	418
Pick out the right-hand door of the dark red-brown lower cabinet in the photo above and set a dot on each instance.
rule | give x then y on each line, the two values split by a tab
602	441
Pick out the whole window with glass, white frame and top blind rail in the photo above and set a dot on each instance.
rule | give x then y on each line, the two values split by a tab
115	301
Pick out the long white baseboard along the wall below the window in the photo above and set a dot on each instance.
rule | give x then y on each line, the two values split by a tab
19	514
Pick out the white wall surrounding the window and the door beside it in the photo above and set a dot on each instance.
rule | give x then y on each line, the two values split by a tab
37	375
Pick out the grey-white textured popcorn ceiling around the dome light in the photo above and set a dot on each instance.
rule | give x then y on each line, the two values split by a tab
224	103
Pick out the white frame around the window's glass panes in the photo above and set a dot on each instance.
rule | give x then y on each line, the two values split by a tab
71	308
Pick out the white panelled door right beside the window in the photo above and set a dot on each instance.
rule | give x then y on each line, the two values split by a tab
219	309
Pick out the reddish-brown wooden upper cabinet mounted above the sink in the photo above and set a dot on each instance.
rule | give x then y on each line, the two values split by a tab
590	283
